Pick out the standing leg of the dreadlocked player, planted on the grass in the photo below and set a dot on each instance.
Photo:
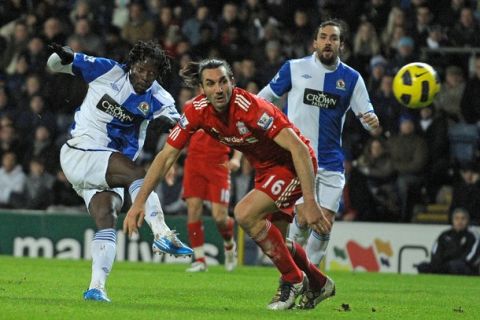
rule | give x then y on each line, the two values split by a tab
104	208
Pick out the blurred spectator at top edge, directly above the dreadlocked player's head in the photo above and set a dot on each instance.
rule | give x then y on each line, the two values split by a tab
139	26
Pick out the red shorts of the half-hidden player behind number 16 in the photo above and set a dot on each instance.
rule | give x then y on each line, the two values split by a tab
206	180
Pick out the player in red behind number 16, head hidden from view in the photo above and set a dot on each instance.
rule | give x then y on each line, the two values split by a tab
206	177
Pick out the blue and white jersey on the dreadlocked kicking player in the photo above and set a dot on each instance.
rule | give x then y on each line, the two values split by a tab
112	116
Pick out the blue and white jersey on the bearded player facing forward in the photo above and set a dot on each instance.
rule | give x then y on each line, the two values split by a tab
318	99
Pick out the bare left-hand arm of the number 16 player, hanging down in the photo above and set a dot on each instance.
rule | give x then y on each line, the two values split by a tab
160	166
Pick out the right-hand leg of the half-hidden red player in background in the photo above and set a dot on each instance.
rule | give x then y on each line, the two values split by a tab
225	226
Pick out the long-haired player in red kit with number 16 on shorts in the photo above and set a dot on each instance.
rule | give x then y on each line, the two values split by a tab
284	165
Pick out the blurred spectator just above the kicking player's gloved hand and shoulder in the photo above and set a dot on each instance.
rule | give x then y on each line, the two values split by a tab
89	41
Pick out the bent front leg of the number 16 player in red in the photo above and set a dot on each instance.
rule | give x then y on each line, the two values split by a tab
251	213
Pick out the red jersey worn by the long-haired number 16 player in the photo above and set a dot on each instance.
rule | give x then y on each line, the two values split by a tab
249	126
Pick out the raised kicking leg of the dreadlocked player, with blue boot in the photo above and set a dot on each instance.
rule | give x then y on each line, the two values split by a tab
123	172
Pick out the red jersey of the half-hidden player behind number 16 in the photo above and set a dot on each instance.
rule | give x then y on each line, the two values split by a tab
203	146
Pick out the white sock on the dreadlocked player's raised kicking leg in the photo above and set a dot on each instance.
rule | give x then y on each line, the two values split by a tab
153	210
